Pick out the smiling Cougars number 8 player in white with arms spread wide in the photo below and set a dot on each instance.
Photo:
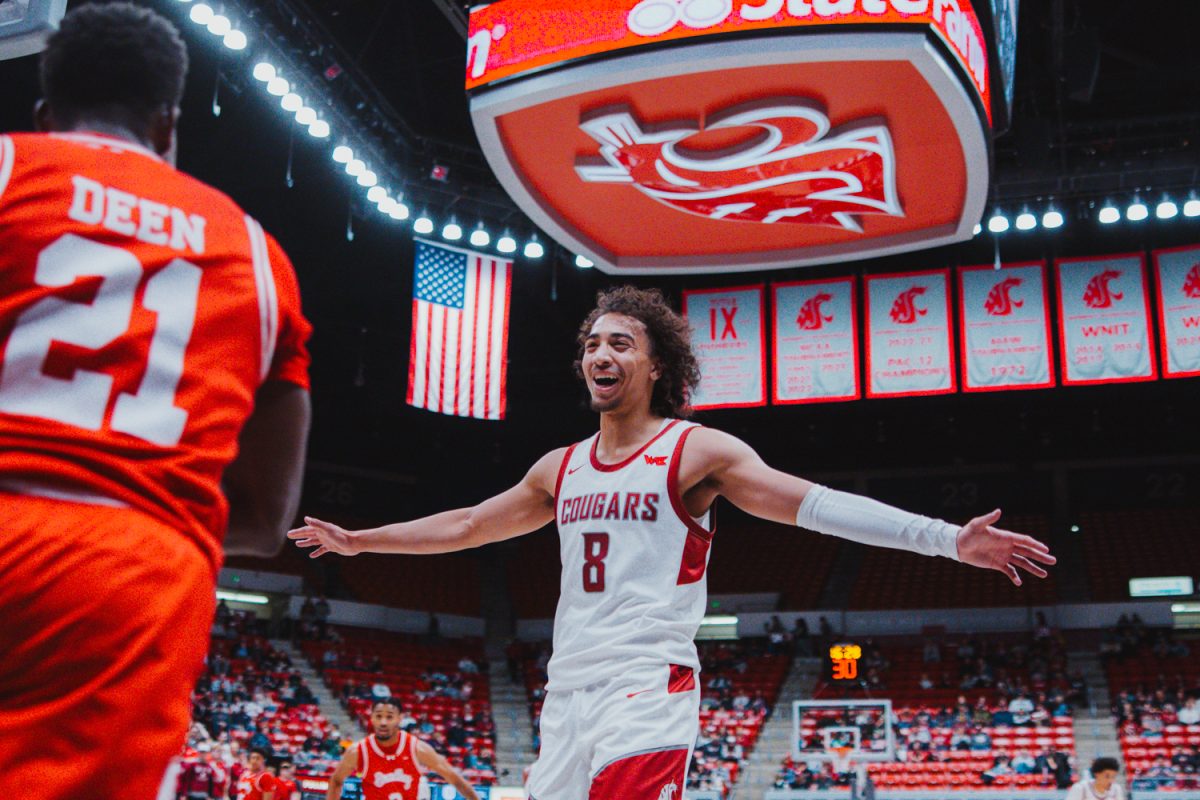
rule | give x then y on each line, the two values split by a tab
633	506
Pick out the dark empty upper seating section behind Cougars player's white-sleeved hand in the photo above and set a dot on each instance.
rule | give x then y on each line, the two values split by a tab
898	580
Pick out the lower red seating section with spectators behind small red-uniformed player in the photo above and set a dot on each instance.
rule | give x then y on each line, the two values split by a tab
425	677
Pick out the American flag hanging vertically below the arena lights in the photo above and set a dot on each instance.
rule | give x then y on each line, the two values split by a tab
459	358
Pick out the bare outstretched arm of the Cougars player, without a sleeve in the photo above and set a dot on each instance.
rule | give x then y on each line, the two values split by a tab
521	510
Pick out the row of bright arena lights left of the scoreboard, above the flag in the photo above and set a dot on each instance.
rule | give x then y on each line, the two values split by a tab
305	116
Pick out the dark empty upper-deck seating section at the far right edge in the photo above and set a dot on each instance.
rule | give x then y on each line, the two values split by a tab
1123	545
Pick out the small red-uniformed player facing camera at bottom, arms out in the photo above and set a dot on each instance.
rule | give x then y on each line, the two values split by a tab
392	762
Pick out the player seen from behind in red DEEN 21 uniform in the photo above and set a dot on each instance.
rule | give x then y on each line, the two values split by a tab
153	364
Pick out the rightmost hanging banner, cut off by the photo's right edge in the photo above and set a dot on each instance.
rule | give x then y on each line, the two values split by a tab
1179	310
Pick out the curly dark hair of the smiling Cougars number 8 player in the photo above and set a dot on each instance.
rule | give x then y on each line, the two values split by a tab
670	345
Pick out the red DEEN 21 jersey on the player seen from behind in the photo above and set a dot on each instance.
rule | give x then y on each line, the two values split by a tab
140	312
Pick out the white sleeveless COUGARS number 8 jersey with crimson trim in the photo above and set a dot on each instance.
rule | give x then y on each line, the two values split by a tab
634	563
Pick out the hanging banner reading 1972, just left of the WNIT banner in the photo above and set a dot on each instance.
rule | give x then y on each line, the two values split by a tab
1005	328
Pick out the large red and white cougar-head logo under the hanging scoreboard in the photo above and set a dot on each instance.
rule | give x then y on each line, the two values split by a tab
799	172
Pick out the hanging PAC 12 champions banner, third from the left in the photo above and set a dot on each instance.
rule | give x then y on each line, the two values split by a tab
909	347
